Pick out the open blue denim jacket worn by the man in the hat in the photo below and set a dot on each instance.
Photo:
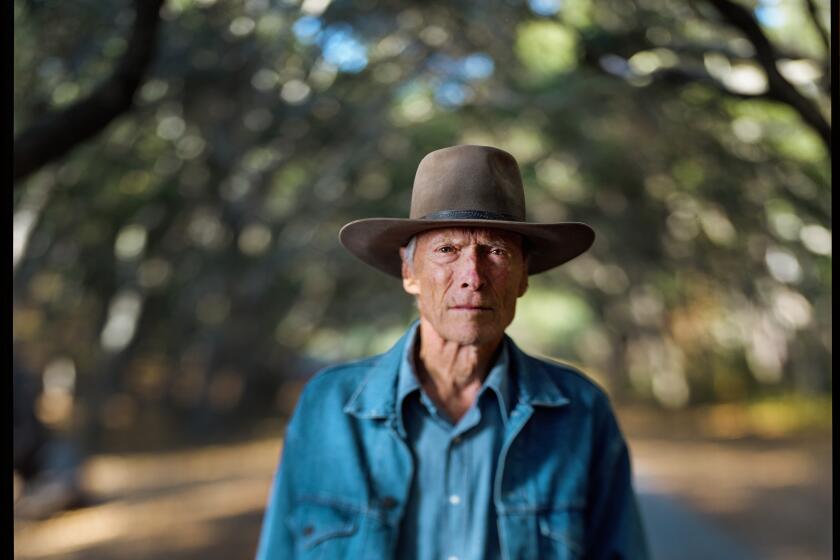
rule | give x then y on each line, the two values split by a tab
562	487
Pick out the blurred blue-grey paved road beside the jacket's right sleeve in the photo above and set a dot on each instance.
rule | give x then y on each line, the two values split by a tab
678	533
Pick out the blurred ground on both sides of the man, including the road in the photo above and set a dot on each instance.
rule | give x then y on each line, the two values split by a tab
701	499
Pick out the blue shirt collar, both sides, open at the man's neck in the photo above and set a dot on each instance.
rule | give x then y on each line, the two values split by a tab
498	380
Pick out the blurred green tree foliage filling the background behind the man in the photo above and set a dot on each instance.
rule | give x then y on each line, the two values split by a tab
186	258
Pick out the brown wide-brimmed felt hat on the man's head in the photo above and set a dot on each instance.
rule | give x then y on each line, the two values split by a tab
465	186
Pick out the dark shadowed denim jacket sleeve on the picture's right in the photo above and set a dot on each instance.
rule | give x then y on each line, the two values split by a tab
614	528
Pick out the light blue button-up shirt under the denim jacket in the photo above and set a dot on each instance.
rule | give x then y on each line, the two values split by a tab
449	514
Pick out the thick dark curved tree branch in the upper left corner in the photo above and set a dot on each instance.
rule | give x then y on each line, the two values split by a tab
57	133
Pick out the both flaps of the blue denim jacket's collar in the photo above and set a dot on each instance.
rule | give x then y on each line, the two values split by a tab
376	396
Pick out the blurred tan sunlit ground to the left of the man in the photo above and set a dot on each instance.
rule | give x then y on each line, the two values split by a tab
155	504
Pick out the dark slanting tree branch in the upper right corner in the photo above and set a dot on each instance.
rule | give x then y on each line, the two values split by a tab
778	87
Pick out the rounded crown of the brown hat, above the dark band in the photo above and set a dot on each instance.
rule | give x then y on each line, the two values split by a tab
468	178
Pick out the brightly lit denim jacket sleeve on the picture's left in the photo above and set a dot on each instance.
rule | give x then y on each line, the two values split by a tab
277	539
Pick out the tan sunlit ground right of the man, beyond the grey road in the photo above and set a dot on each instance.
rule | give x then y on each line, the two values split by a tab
773	494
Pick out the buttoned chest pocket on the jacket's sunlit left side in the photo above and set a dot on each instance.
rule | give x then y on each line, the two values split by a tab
323	528
